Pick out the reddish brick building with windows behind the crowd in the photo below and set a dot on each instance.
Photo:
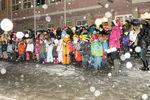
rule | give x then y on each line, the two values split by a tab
44	14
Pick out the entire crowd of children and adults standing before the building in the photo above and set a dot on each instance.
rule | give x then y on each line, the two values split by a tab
81	46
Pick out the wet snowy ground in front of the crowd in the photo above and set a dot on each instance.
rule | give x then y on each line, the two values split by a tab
30	81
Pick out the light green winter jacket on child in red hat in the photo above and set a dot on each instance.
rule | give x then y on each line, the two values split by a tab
96	49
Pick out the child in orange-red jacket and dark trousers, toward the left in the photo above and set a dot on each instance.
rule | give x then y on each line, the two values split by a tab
21	50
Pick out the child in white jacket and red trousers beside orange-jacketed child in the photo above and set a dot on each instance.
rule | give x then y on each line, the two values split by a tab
29	50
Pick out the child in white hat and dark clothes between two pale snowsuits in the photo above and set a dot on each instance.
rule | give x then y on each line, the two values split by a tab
54	52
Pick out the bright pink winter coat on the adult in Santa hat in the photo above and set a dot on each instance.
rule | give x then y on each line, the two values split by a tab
114	37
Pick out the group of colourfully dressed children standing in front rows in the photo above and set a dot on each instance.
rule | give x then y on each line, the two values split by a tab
86	49
